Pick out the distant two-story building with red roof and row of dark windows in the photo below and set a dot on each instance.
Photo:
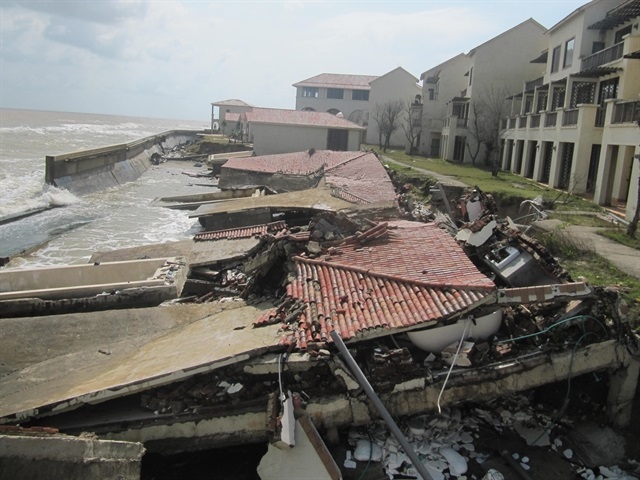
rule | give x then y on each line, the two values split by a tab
343	94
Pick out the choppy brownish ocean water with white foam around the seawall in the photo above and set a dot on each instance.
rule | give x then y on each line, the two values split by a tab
112	219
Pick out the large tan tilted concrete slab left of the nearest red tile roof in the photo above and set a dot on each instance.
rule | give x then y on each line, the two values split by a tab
196	344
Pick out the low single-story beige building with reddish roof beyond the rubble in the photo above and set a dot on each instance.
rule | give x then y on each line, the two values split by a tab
274	131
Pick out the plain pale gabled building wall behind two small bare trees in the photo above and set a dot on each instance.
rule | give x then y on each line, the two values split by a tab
396	85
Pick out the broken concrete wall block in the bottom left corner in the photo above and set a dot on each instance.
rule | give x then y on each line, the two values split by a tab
63	457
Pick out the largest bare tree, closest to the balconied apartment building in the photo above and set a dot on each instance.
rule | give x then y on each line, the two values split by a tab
488	108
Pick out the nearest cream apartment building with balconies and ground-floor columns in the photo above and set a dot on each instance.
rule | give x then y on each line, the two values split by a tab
574	127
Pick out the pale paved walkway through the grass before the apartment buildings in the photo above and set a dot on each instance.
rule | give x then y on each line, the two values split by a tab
625	258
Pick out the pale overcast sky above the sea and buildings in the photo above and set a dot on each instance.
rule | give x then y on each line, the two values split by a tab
171	59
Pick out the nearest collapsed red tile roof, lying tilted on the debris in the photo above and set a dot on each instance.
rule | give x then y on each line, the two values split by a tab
415	276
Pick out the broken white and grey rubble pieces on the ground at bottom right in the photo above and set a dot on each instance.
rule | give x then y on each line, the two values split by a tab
450	444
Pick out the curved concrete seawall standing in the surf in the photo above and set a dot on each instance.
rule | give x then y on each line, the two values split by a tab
93	170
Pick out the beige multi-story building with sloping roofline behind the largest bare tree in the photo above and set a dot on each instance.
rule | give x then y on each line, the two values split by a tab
450	90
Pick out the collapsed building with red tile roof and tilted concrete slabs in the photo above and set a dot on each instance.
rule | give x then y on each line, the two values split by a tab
437	314
